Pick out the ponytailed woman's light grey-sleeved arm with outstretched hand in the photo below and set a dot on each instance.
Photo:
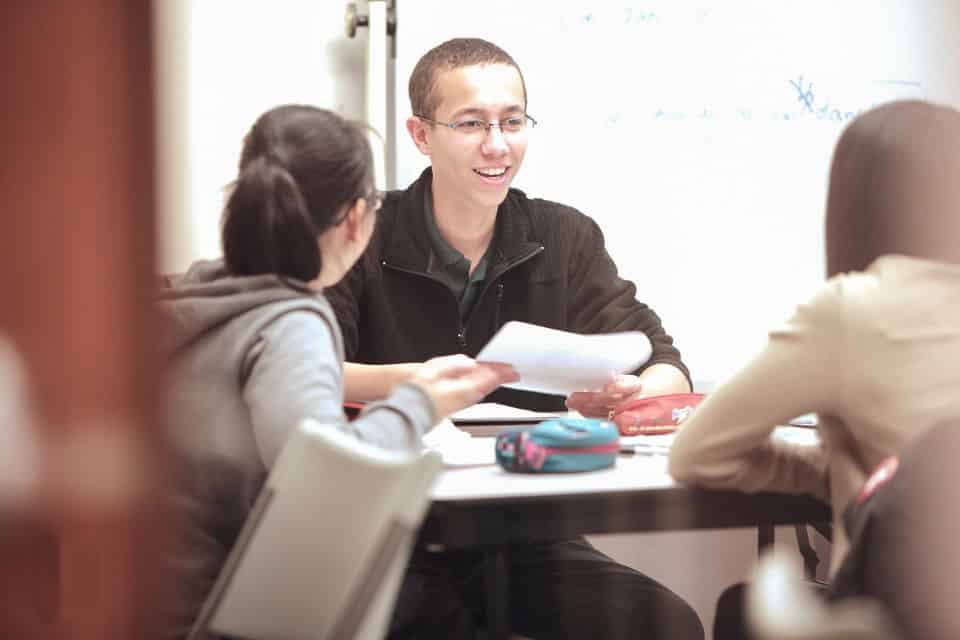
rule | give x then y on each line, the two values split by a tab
293	372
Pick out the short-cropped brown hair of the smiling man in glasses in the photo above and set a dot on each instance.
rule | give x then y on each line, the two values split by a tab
449	55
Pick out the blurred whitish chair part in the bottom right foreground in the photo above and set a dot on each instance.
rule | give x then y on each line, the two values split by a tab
781	607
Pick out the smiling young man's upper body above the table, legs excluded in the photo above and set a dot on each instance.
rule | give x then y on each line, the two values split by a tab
459	253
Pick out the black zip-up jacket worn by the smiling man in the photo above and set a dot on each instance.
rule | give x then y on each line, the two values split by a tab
548	267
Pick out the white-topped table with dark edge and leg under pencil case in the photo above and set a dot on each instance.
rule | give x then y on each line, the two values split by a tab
486	508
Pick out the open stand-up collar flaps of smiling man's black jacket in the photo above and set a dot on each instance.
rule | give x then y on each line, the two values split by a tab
408	244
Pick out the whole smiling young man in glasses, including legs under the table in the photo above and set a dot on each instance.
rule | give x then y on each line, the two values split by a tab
455	256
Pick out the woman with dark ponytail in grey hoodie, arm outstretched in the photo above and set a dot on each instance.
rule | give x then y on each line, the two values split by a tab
254	346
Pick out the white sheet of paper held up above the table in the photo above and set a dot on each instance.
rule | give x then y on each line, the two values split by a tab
559	362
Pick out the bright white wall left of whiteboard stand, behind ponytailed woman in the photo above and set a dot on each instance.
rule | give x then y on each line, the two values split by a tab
221	63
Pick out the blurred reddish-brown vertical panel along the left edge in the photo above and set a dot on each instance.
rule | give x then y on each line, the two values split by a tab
80	544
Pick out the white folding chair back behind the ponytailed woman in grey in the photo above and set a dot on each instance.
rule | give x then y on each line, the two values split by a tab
323	552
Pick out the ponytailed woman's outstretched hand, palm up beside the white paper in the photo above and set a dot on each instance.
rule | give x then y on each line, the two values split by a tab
456	382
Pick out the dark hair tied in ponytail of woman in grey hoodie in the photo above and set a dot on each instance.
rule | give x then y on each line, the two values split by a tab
300	169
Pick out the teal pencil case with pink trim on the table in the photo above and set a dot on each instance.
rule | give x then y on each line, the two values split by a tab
561	445
